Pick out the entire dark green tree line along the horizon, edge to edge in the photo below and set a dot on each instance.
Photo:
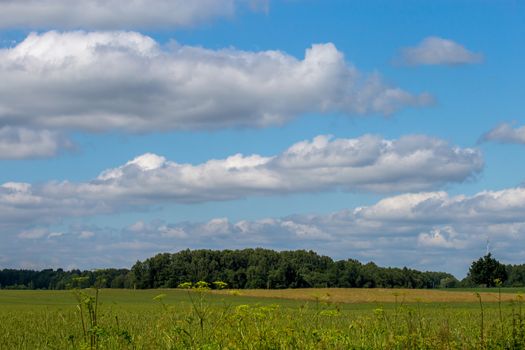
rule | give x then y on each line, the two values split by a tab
260	268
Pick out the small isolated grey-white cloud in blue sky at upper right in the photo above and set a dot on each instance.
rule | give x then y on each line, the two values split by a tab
435	51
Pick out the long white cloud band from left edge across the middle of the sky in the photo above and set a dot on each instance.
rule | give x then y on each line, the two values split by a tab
368	163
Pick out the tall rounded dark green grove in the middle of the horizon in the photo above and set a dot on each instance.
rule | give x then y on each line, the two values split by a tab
263	268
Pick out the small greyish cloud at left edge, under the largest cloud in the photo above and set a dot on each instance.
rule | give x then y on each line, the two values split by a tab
21	143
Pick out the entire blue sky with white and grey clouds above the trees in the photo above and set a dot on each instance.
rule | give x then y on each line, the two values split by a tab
386	131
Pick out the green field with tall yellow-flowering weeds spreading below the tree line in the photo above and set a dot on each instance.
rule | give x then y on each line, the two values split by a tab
289	319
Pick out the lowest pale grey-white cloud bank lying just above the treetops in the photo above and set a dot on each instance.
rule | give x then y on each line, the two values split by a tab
427	230
